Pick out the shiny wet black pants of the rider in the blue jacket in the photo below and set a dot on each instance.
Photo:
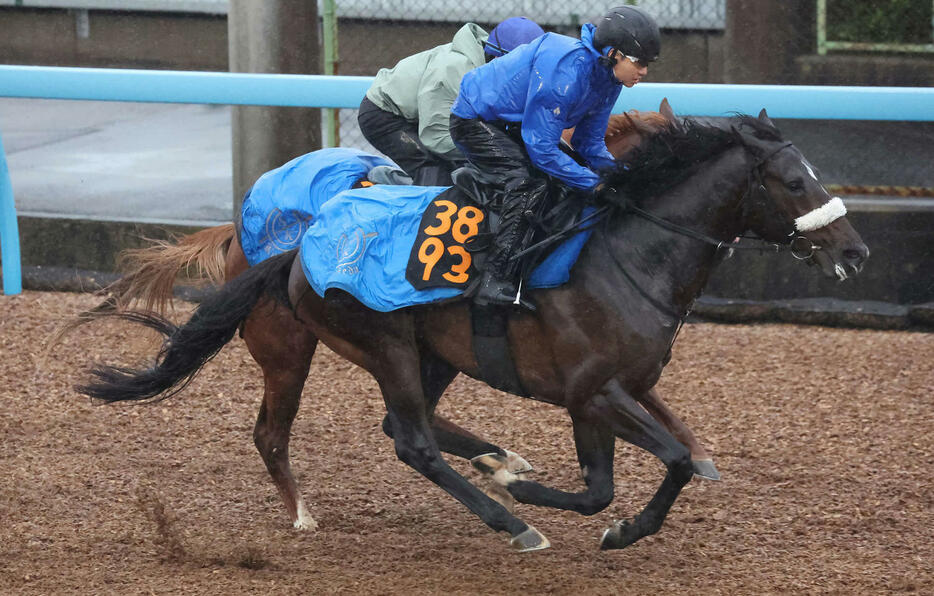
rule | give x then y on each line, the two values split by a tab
500	155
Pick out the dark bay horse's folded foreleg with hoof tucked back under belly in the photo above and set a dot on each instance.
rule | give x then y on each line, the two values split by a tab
595	445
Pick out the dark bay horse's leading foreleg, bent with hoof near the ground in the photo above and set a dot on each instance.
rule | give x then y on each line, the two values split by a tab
630	422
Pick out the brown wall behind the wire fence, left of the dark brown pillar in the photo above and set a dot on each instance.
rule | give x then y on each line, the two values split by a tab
50	37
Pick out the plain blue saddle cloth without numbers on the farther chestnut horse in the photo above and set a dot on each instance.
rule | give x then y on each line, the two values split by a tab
282	203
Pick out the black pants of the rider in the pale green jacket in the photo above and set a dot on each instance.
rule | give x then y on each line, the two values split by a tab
397	138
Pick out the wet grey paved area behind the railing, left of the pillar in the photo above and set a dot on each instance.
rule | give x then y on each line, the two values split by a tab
123	161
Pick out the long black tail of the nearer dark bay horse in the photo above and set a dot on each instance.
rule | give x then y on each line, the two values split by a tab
188	348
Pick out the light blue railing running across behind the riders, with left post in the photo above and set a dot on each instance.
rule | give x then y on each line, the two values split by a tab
318	91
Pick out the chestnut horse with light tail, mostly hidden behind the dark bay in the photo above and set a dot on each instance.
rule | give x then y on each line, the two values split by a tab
215	255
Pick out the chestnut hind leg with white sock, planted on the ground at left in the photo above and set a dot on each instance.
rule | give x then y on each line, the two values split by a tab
283	349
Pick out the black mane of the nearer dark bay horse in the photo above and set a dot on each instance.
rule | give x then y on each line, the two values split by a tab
671	155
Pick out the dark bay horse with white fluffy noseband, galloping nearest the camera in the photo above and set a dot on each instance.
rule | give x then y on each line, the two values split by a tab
595	346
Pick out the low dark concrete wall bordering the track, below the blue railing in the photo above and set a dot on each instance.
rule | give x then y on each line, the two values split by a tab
894	291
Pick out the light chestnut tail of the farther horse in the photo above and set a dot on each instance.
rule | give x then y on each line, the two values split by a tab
150	275
